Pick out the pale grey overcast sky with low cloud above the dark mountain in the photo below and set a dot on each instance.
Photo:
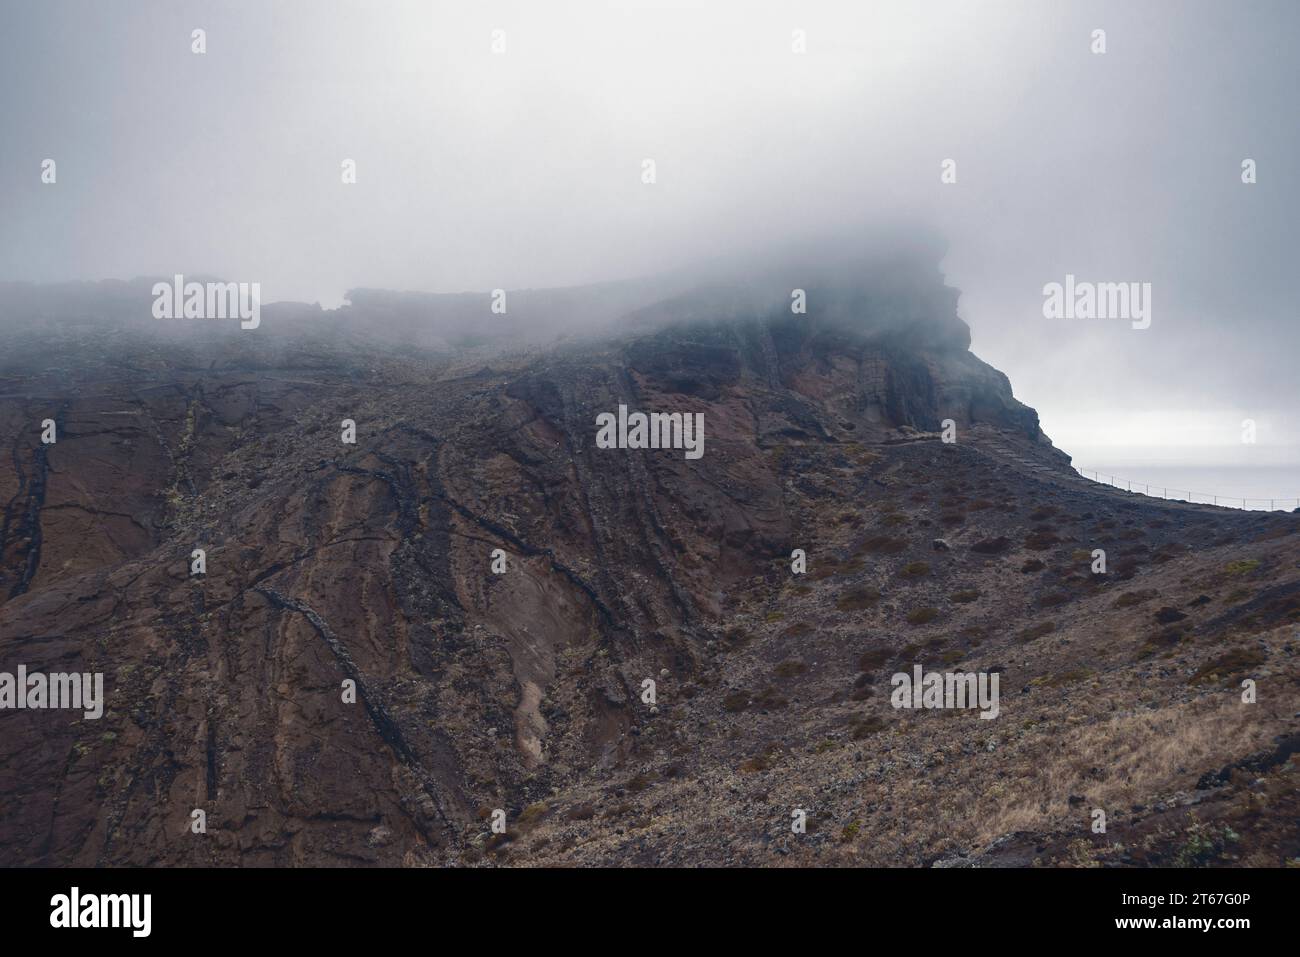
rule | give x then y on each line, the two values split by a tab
479	170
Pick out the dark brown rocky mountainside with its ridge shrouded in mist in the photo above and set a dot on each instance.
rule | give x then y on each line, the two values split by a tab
375	568
